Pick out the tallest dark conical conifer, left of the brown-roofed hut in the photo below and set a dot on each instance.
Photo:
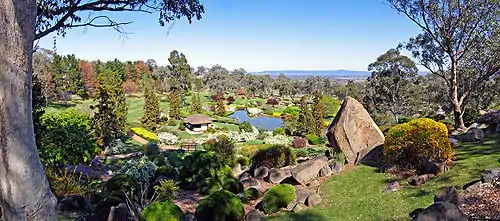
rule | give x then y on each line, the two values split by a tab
110	114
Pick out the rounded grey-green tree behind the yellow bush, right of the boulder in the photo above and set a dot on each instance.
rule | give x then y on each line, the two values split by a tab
390	84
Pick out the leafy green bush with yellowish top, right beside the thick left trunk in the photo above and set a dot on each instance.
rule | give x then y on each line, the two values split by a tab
67	138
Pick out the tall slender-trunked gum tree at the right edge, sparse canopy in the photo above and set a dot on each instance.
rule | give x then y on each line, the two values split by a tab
458	43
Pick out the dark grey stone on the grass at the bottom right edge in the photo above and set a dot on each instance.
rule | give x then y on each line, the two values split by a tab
441	211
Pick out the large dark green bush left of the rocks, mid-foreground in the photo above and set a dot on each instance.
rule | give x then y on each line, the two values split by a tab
204	171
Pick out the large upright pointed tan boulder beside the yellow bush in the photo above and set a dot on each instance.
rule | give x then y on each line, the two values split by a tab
354	132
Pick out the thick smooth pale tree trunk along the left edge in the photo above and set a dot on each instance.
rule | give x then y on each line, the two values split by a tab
24	190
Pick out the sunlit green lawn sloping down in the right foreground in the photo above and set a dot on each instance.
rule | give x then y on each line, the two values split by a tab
357	194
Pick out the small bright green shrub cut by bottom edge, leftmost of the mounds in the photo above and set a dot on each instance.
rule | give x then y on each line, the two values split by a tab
162	211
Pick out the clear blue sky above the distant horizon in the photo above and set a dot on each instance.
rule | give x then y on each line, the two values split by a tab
253	34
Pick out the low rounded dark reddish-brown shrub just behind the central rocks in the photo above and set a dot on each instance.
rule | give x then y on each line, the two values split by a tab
274	157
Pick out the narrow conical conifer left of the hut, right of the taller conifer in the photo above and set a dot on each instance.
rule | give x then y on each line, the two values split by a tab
151	117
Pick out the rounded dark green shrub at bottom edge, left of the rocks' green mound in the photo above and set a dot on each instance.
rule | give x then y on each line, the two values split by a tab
220	206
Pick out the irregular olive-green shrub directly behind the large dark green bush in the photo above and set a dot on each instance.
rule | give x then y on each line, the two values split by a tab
224	148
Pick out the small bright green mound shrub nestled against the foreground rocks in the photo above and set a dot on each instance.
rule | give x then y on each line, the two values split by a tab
278	197
